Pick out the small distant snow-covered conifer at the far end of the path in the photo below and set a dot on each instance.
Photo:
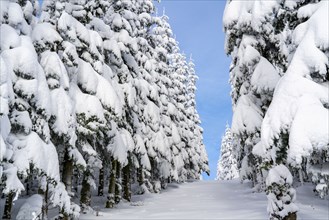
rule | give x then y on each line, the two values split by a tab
227	164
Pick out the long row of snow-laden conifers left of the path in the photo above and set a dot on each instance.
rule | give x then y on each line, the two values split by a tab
93	94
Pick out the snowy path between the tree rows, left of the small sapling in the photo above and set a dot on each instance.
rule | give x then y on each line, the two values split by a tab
197	200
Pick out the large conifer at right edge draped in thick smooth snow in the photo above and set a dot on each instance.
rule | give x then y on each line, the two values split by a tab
300	138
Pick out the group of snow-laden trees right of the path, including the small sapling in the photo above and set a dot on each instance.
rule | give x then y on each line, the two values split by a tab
279	77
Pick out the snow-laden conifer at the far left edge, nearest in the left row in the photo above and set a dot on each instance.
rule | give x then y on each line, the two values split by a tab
30	148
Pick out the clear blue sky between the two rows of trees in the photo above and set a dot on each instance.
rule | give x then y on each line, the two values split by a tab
197	26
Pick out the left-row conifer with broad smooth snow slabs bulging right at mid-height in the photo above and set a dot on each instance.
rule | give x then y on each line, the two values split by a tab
96	102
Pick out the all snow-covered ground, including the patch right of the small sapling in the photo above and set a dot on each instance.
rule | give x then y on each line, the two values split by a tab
209	200
